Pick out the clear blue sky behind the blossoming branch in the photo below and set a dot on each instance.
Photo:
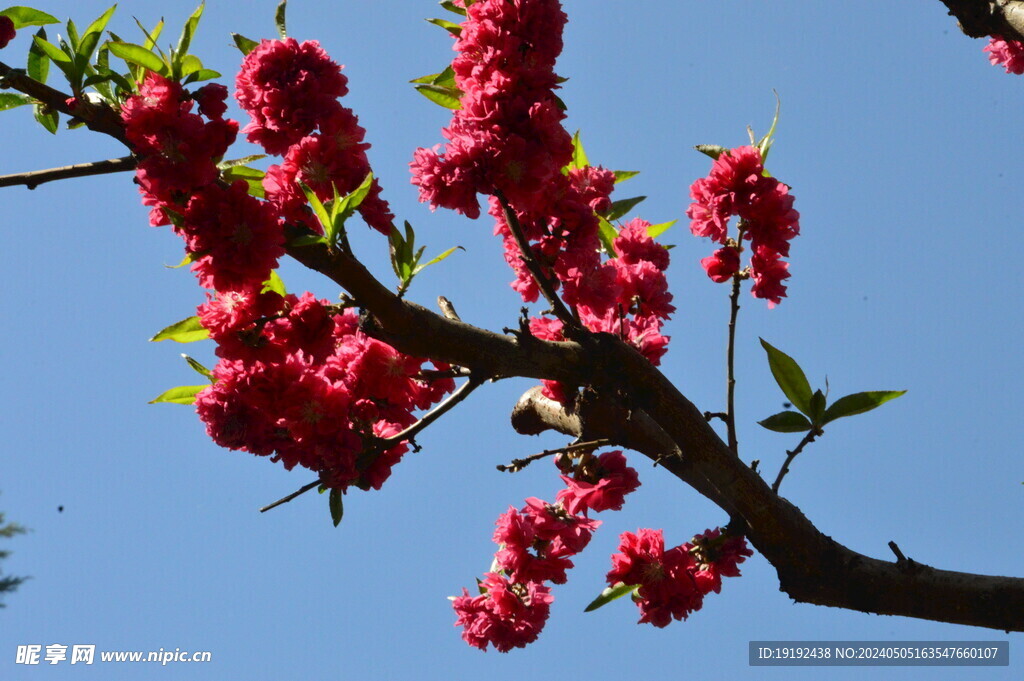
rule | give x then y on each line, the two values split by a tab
904	149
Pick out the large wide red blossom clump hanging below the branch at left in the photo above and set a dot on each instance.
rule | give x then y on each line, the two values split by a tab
298	381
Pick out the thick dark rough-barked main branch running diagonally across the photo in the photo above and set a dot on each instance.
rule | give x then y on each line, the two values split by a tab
630	402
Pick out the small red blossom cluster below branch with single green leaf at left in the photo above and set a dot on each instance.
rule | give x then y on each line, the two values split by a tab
672	583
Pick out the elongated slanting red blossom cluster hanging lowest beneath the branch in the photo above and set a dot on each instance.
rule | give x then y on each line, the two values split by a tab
536	545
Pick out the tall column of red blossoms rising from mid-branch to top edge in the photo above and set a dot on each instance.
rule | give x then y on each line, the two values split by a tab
507	141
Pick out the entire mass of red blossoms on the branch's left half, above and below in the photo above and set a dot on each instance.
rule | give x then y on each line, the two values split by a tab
297	380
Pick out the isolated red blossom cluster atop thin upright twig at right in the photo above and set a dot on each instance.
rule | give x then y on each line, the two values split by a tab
739	186
